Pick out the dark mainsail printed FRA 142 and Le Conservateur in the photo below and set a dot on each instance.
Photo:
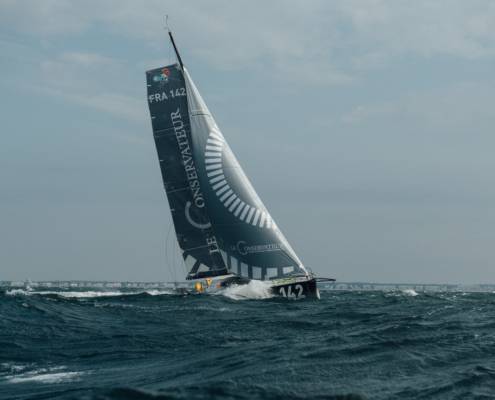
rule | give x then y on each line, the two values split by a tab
167	100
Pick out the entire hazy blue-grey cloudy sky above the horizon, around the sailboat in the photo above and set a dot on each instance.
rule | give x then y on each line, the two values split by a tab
366	127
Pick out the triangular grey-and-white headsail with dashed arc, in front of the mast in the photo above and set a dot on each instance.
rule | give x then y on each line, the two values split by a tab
251	243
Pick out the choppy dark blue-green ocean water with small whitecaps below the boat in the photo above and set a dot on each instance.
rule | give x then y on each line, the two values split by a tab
89	344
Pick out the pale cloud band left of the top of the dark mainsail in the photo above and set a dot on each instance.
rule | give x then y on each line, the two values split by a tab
86	78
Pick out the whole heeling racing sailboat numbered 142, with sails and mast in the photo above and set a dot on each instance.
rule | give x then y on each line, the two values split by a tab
224	232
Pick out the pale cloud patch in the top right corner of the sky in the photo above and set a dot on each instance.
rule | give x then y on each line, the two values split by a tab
425	28
